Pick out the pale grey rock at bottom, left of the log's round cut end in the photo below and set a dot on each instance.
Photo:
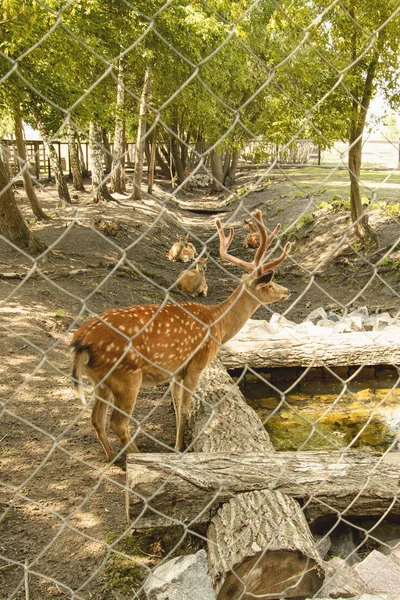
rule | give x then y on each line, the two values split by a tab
182	578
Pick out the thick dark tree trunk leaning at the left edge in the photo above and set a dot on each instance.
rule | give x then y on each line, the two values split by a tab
12	224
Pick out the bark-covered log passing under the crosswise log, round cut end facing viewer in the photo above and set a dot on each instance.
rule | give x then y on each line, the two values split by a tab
259	543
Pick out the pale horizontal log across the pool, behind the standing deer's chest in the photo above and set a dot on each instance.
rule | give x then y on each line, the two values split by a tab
325	349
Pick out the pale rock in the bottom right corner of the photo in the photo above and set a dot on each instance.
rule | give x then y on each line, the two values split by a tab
380	574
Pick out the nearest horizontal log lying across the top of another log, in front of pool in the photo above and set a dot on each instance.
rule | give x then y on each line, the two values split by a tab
356	482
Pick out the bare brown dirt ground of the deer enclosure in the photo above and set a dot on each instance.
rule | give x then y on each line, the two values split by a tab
63	506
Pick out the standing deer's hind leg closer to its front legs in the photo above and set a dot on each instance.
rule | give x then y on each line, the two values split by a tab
124	401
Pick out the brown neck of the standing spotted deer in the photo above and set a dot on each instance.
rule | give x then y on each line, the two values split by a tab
235	311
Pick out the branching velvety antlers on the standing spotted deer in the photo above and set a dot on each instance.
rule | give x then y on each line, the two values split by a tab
266	240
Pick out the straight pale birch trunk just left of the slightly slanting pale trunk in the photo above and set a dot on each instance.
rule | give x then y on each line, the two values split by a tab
117	179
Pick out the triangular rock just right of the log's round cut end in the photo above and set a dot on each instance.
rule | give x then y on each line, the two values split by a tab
341	581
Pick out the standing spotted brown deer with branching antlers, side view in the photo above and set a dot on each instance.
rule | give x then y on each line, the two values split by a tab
125	349
